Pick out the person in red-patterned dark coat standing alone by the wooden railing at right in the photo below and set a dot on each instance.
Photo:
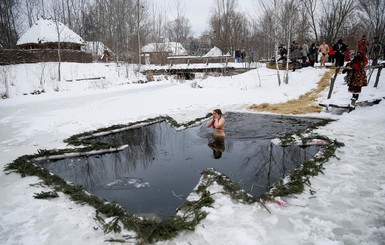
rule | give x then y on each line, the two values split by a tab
356	76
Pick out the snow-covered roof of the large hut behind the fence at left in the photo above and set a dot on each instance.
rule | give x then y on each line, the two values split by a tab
46	31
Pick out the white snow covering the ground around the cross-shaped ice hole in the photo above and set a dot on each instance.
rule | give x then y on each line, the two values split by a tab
347	208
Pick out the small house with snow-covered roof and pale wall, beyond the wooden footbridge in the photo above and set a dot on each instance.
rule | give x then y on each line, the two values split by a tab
157	53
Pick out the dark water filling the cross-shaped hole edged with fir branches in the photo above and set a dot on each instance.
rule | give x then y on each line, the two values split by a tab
161	166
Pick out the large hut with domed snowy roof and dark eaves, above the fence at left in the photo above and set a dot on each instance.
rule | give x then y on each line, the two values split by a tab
46	34
